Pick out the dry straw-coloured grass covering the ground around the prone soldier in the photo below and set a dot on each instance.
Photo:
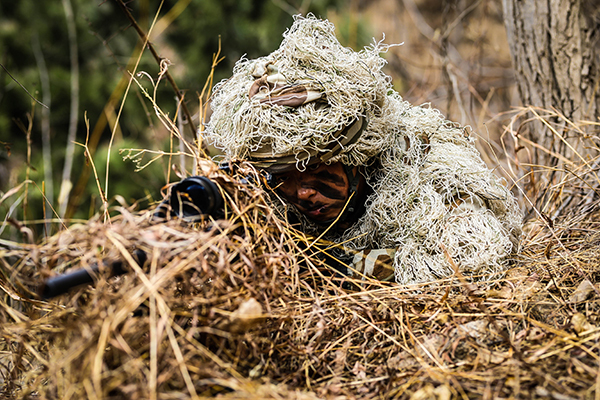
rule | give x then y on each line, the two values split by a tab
240	309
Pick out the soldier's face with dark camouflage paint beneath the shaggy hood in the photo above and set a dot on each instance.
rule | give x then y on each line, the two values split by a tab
320	192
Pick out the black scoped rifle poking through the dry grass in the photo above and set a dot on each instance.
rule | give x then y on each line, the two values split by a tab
191	199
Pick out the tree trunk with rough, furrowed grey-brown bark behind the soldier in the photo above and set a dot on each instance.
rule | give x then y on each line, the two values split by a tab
554	48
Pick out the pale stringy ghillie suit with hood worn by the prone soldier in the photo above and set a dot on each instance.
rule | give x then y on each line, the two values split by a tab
433	198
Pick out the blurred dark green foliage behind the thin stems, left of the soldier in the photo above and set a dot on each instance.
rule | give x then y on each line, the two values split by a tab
106	46
